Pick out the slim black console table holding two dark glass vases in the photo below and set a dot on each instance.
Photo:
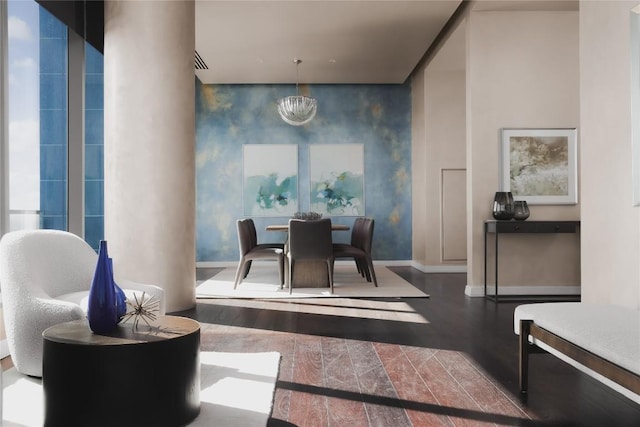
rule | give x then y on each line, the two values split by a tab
498	227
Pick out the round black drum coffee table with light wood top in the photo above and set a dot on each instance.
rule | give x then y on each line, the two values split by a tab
144	376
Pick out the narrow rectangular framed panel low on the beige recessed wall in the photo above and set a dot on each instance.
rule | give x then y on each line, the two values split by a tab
454	215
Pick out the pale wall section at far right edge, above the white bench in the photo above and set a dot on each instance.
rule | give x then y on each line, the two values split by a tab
610	225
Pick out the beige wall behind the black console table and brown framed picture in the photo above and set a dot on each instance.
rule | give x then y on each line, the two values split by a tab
522	71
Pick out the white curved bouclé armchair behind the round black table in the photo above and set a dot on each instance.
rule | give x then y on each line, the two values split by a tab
45	276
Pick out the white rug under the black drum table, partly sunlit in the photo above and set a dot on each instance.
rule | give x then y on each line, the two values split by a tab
237	389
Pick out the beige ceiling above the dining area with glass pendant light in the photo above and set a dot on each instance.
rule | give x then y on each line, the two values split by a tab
359	41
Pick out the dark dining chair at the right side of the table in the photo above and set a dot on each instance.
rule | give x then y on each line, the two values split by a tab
360	248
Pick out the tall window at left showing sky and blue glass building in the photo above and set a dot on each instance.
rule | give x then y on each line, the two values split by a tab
43	118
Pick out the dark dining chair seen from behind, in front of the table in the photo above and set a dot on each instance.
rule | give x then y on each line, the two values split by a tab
310	240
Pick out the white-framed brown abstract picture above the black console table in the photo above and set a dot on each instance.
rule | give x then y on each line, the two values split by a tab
540	165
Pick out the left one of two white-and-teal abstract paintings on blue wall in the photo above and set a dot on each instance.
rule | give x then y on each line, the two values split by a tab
270	179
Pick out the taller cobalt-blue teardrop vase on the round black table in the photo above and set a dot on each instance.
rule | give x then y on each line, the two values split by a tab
102	308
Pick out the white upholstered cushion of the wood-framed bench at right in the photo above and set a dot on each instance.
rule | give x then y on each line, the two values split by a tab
610	332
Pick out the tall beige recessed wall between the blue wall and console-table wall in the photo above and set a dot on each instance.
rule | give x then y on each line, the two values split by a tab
438	130
